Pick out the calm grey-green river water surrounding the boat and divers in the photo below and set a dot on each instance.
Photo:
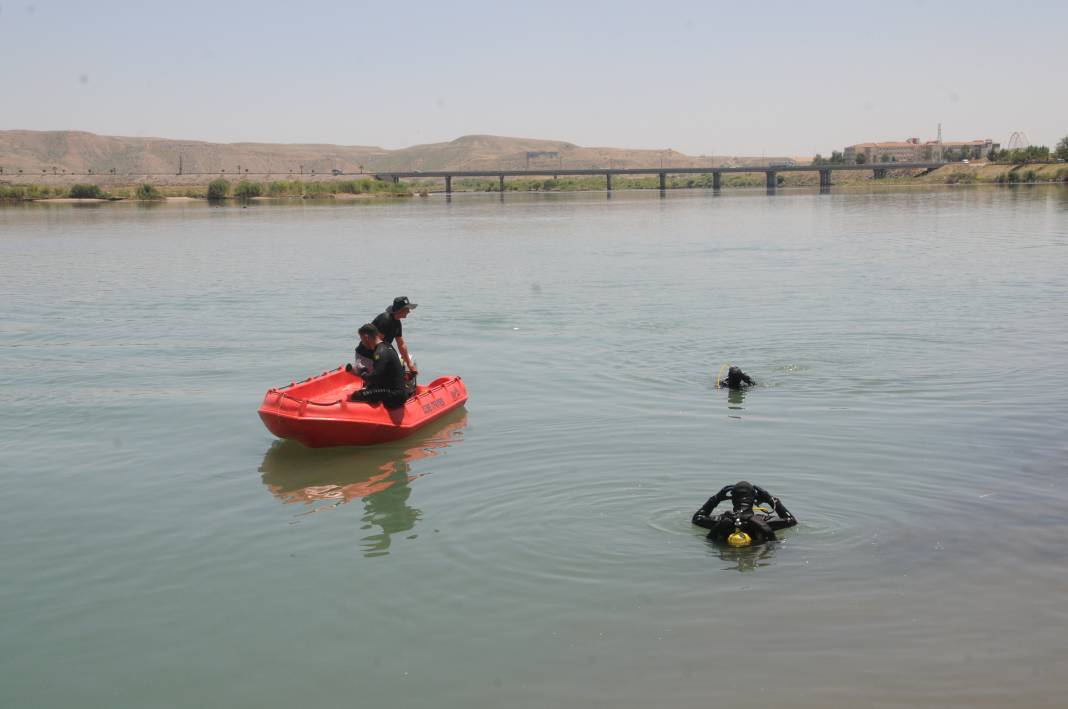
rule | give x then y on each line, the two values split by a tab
161	549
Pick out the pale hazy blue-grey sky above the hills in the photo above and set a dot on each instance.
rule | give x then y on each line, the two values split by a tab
779	78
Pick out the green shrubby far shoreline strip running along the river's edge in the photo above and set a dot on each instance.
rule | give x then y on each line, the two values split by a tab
367	187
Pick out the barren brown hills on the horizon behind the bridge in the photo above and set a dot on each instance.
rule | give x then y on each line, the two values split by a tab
70	152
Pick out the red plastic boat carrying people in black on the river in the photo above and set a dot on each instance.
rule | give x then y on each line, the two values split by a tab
318	412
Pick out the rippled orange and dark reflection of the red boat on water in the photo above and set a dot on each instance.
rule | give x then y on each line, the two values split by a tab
381	476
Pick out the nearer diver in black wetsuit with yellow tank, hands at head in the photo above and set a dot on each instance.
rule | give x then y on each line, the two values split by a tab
744	526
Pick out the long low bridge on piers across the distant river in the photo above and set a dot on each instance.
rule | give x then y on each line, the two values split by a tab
879	170
